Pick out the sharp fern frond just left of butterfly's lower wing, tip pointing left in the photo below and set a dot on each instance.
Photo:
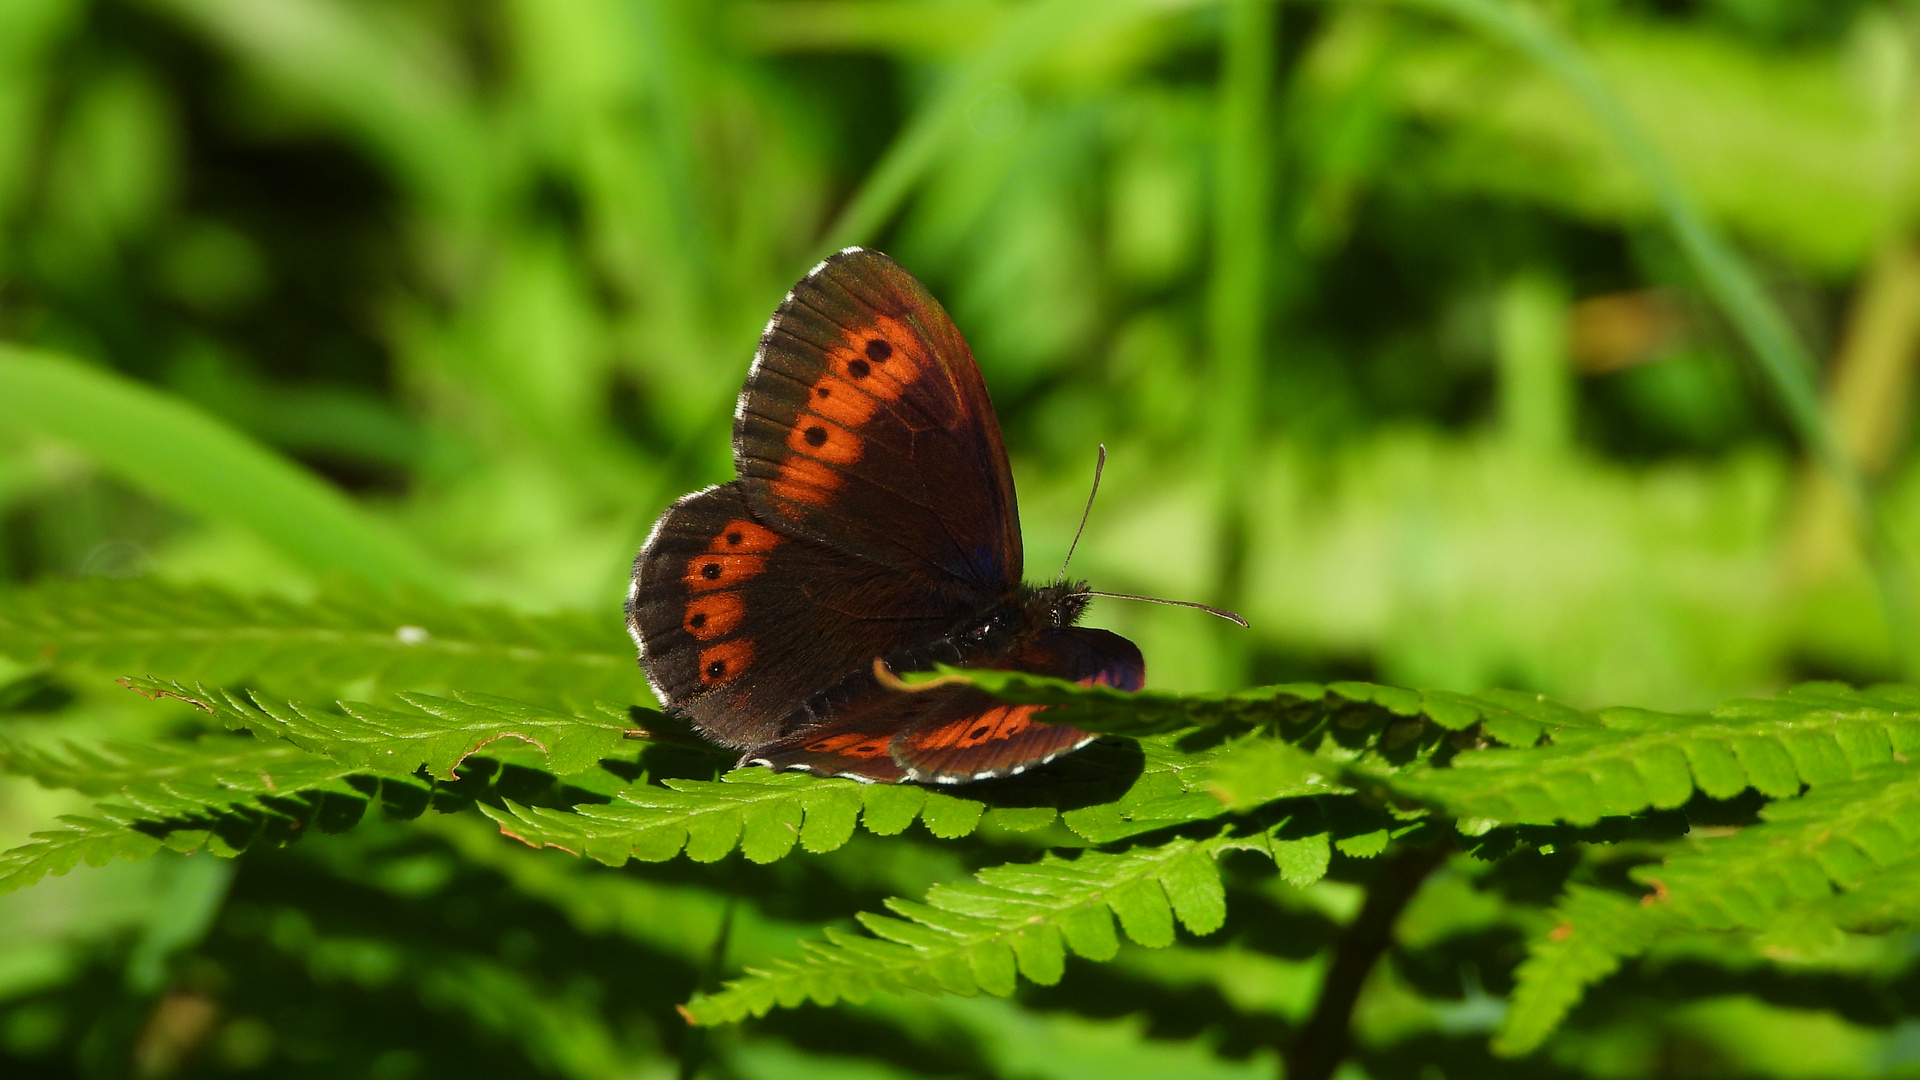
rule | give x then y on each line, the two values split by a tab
437	733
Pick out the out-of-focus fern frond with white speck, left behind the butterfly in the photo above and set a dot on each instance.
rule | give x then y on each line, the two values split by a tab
348	635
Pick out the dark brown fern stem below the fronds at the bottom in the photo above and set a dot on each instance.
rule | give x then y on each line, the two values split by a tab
1322	1043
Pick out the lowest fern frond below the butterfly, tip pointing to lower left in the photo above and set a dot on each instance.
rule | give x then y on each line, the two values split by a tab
1009	921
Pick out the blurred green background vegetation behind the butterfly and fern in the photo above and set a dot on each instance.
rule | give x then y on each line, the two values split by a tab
1389	333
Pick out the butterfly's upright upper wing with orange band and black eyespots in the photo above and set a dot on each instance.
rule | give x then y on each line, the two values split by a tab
867	426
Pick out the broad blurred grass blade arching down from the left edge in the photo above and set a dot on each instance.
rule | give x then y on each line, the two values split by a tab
193	460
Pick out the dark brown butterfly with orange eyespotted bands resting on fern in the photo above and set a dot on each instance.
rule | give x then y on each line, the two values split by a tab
871	529
